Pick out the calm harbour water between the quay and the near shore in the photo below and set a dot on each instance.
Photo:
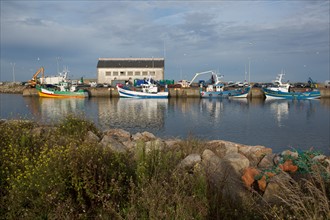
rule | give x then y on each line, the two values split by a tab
278	124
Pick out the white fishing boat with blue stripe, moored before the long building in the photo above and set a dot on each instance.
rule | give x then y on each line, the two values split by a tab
146	90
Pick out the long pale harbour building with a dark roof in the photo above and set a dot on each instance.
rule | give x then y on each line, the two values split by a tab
109	69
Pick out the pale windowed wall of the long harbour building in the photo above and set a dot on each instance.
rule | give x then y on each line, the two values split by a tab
107	75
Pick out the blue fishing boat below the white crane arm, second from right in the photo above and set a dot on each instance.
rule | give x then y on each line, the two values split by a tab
217	91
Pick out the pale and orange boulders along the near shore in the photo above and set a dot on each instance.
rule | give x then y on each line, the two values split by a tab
239	168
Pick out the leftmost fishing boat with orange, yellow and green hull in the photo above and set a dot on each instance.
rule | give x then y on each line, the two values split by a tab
63	90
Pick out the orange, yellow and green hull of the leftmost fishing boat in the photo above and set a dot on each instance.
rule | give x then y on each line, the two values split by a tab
43	92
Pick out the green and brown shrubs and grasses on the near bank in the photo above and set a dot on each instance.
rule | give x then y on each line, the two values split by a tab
52	172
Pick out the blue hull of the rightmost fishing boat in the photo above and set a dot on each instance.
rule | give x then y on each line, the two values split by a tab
292	95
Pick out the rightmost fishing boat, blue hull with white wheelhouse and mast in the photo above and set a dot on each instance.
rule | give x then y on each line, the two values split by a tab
282	90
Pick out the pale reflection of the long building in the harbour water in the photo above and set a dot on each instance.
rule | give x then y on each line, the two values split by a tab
134	115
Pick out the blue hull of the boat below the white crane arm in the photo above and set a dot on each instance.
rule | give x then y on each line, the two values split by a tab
236	93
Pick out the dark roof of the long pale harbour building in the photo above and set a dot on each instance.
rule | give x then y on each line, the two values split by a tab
131	63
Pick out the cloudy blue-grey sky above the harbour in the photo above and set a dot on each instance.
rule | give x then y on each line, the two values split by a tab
193	36
